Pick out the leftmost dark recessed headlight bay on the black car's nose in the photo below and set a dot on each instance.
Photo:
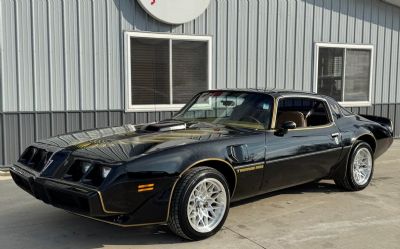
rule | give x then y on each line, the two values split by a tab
35	158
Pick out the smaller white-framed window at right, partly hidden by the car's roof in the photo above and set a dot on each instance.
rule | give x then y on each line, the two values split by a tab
344	72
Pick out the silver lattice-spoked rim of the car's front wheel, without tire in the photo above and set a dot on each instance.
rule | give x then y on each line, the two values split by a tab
207	205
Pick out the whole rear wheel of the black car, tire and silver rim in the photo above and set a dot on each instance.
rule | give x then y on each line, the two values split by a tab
359	170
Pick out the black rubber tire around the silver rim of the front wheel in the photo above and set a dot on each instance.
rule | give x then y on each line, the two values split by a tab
178	221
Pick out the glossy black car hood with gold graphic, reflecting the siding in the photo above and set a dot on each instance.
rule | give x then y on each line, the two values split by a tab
124	143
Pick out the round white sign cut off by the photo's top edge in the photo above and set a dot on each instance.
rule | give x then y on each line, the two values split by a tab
174	11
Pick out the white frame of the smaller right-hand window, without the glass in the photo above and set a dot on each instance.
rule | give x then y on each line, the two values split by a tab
319	45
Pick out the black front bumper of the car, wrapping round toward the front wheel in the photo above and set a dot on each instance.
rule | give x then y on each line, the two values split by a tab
120	205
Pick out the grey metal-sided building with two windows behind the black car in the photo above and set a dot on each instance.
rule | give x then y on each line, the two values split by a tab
68	65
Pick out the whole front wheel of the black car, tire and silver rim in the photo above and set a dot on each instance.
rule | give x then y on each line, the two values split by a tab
200	204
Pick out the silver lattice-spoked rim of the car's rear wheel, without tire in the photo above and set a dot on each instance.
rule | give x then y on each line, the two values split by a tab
362	166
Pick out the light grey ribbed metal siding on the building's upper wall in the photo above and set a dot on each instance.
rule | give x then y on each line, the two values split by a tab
60	55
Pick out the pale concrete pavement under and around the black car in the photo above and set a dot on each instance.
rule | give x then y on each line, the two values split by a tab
309	216
